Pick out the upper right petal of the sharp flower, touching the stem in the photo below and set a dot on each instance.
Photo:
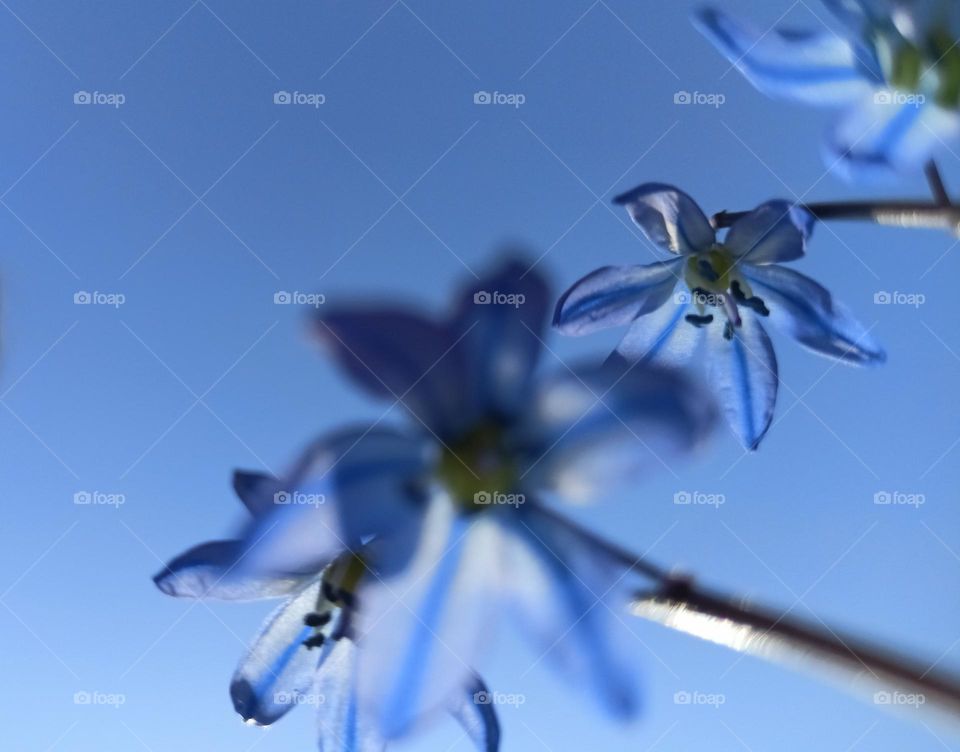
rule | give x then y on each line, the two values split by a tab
773	232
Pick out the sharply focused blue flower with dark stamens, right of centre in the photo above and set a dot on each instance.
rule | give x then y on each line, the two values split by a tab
719	290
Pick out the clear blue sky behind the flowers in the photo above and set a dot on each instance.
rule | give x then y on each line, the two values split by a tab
198	198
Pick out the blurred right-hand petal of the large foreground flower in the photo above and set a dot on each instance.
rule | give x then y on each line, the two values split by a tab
593	426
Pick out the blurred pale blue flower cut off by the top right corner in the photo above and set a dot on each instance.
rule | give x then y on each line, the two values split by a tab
896	71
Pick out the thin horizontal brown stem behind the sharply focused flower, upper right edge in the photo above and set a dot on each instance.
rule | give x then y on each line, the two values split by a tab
926	214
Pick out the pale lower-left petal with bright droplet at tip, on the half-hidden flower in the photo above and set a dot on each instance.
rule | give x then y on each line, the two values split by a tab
279	670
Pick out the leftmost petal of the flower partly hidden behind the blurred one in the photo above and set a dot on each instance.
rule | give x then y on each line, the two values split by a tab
204	572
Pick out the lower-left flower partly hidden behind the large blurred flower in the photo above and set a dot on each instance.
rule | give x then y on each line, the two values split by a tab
305	653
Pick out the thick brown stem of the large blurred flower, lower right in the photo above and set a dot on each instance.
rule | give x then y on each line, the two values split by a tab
881	676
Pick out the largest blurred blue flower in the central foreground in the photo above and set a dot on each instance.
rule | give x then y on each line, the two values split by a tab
445	523
